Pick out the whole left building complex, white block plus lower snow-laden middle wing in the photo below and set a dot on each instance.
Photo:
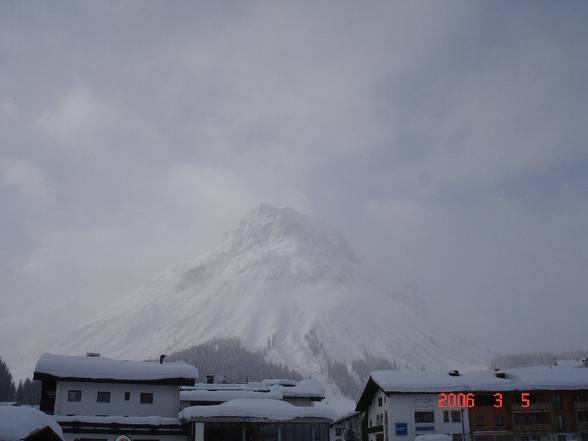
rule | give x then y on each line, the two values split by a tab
94	398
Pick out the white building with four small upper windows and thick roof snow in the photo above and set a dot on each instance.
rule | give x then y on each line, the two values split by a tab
97	398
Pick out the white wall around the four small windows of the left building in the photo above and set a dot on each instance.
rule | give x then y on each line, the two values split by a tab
165	399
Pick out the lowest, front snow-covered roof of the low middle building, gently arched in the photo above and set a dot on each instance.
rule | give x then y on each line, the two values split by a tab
267	410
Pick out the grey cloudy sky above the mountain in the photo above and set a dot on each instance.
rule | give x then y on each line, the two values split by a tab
447	141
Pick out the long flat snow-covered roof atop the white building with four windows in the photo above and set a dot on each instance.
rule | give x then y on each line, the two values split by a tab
84	368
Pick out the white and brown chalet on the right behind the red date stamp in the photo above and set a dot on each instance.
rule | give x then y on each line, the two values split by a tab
527	404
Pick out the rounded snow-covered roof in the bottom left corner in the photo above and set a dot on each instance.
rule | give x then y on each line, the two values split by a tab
18	422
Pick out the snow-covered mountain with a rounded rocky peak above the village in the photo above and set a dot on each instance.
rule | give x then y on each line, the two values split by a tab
286	283
